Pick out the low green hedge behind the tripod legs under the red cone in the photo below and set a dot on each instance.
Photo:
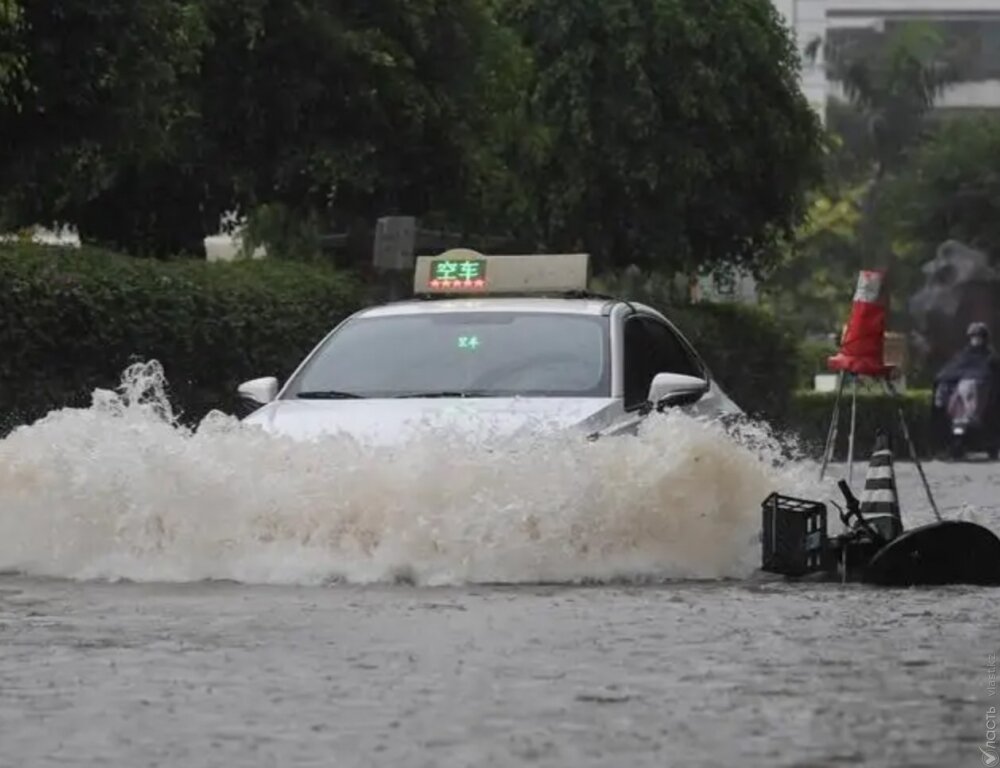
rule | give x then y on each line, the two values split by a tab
811	412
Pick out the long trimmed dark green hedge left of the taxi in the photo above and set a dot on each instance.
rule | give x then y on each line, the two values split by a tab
73	320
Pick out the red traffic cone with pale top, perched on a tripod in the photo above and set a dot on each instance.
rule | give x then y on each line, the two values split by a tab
862	348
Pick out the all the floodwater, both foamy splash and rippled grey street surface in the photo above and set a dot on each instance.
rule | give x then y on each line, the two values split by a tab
221	598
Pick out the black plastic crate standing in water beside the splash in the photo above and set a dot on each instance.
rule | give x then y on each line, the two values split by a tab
793	536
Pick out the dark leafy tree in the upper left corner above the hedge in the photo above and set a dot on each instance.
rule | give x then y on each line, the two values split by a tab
101	118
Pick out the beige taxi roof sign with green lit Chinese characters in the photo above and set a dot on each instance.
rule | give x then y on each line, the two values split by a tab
463	271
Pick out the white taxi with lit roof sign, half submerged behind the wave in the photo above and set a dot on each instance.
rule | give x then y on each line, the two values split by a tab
495	344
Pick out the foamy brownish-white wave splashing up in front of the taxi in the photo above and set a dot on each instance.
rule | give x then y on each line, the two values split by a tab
121	491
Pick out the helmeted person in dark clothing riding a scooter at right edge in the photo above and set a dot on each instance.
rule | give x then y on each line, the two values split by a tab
976	360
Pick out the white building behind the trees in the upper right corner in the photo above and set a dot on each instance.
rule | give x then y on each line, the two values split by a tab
975	23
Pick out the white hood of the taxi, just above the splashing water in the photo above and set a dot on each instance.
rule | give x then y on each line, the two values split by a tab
386	422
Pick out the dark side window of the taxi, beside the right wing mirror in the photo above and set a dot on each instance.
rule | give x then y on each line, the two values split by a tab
651	347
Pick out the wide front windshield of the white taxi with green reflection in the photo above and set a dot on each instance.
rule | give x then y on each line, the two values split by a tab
454	354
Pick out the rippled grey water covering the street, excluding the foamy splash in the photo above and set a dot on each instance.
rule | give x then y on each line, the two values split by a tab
744	672
